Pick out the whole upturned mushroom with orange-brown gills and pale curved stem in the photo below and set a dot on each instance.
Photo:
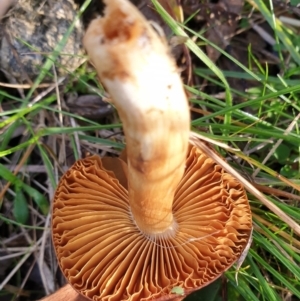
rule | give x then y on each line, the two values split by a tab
175	218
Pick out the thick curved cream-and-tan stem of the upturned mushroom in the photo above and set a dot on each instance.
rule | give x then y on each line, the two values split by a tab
135	66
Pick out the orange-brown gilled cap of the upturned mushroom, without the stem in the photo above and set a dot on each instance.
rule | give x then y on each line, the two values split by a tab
104	255
